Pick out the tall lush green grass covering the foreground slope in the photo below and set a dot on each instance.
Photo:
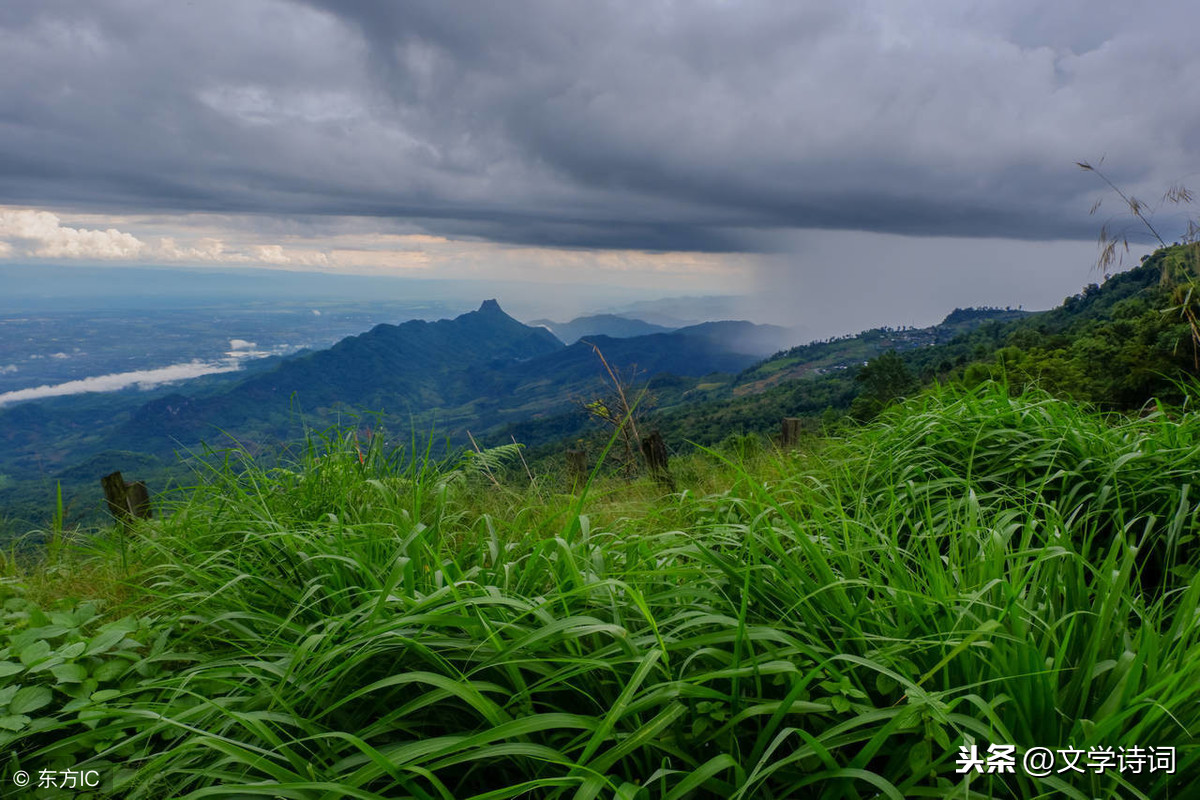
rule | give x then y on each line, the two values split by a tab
831	624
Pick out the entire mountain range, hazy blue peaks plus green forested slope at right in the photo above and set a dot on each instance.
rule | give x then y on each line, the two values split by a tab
490	375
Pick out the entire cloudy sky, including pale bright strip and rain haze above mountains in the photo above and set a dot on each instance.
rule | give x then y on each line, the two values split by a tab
839	165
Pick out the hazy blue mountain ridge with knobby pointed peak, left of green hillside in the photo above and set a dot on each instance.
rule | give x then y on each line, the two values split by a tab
479	371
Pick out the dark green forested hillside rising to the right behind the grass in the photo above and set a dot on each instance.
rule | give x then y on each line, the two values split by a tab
1117	346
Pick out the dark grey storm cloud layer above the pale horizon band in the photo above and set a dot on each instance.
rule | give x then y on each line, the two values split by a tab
637	124
